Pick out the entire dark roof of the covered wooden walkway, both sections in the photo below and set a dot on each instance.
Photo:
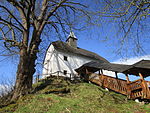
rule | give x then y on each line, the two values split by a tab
142	67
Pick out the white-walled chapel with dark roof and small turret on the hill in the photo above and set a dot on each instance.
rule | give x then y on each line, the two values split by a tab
62	58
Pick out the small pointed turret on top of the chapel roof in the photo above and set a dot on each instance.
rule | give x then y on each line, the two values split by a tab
72	40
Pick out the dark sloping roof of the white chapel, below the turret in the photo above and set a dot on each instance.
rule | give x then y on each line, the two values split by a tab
63	46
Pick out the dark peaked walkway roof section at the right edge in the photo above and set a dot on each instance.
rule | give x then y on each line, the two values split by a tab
142	67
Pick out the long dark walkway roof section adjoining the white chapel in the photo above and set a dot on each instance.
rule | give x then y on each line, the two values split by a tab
95	66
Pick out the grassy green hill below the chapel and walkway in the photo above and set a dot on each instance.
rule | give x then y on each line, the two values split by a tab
57	95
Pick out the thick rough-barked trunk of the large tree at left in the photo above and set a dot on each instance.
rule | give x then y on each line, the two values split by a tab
26	69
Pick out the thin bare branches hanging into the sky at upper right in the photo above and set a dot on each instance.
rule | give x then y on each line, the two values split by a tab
131	17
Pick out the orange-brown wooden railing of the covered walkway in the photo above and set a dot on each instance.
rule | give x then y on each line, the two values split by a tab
133	90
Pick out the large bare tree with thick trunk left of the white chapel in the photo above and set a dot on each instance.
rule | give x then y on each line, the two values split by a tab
22	22
